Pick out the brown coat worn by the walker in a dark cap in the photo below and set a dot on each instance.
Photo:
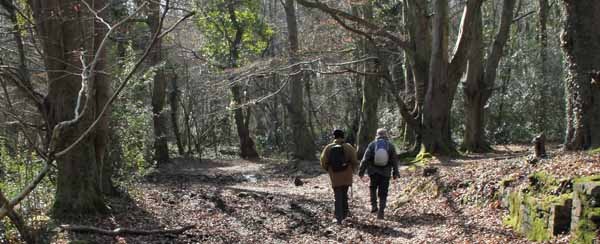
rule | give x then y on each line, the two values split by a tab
342	178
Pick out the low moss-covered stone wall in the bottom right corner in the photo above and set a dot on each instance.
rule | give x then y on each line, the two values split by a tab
545	208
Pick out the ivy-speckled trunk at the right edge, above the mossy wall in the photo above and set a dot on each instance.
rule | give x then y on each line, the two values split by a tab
581	43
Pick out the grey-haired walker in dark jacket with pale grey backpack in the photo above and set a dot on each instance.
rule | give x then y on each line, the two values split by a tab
379	173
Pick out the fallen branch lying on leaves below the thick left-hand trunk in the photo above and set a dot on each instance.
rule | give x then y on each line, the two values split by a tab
124	231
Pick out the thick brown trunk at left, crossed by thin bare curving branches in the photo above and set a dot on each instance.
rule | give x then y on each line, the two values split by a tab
77	185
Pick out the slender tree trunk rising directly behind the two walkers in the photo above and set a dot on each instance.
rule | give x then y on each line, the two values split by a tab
370	95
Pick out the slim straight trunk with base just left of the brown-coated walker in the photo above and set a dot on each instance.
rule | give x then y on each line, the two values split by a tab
302	144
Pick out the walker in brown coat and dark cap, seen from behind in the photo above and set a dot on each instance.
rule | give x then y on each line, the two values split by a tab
340	180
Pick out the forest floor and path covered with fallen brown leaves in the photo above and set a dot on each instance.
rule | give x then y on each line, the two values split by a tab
259	202
